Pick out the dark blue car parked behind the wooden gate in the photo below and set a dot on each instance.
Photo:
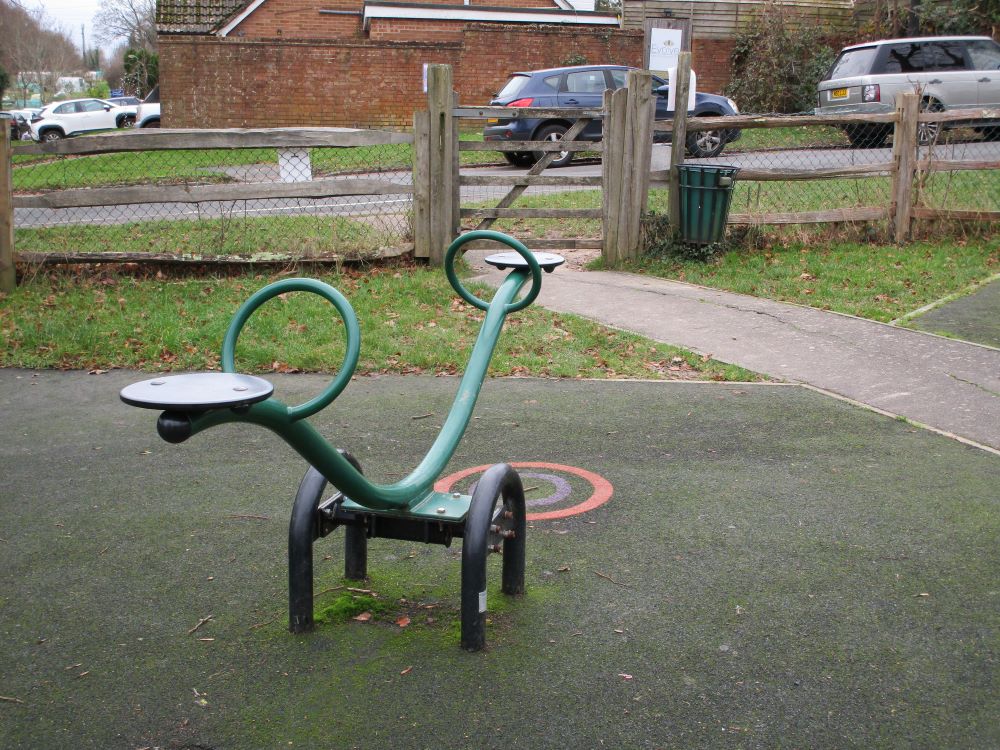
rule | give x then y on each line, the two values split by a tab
583	86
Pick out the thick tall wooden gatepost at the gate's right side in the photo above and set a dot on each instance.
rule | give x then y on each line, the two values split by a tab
635	177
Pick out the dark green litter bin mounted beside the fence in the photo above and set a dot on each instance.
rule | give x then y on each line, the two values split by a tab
706	192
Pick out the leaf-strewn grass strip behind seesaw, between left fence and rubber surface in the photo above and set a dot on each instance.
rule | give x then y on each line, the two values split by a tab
411	321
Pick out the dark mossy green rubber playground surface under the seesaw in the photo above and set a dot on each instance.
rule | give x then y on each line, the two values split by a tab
774	568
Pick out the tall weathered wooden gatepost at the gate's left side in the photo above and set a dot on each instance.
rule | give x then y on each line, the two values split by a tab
442	156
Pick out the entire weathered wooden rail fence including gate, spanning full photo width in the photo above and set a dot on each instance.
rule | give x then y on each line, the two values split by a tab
625	178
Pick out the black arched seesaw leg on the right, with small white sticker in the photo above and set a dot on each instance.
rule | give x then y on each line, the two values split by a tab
498	480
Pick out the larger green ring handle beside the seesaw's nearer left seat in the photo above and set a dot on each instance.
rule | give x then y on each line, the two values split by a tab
324	290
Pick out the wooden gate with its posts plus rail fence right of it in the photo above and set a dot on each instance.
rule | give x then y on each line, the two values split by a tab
625	180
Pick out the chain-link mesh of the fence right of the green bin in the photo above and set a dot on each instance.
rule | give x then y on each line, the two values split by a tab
845	173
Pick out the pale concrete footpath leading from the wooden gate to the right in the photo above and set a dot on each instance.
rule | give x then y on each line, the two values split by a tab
949	385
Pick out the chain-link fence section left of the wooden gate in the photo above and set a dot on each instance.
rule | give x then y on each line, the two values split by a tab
214	203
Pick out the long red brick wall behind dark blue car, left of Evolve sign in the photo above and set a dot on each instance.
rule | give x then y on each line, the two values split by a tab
216	83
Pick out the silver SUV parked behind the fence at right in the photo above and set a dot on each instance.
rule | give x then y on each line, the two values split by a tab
949	72
